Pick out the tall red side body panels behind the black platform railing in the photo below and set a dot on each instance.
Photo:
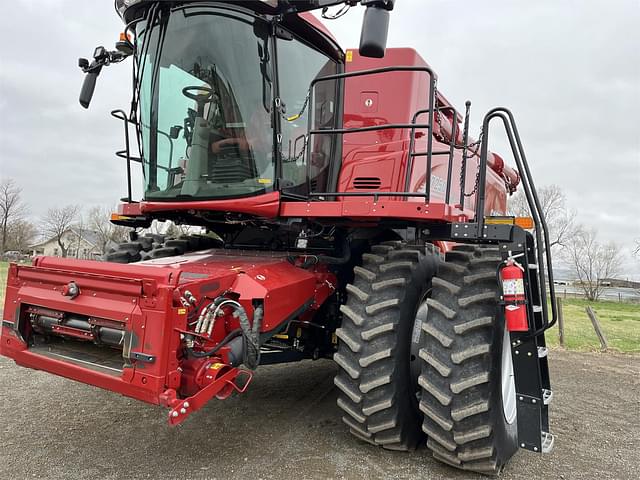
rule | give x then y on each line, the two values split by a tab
375	100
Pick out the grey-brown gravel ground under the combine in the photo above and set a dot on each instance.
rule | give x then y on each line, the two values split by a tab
287	426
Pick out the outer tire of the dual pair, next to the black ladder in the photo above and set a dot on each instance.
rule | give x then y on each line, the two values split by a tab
468	396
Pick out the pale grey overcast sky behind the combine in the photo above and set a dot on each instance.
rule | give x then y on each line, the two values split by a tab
569	70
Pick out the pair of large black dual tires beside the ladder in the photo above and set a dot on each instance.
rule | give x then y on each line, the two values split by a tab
420	354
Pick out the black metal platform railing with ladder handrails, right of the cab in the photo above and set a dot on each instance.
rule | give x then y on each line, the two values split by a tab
542	243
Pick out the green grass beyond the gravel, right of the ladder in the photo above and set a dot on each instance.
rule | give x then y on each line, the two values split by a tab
620	323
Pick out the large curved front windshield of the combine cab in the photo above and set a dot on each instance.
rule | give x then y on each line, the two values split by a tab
205	80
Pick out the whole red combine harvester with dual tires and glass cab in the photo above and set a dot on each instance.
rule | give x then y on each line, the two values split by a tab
350	216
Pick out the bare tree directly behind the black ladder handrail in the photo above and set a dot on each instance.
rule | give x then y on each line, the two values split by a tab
560	220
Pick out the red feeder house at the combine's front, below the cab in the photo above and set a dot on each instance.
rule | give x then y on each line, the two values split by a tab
144	299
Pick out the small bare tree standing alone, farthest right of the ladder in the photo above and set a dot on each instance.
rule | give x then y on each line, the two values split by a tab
592	261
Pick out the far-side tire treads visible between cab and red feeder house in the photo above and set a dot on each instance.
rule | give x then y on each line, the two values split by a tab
150	246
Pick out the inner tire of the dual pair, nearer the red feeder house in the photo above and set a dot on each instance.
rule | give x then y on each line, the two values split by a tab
378	366
